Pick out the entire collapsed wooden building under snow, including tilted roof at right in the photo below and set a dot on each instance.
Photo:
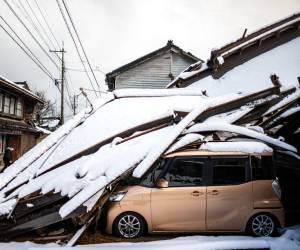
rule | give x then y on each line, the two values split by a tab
68	177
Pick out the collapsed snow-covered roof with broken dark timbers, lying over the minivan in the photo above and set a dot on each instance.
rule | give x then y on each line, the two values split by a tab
124	134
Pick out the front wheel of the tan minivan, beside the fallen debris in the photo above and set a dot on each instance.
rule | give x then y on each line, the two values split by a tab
129	225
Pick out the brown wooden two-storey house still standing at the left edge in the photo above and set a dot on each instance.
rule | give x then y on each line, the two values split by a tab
17	115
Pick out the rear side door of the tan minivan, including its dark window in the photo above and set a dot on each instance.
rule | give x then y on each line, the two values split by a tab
229	194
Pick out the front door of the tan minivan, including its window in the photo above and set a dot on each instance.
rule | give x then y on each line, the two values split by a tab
181	205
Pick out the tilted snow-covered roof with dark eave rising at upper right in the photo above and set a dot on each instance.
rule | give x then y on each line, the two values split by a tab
247	63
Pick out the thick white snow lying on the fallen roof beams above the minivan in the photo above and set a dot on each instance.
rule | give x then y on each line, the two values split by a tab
125	134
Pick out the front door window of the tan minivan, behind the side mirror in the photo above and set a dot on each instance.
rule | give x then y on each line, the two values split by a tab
185	172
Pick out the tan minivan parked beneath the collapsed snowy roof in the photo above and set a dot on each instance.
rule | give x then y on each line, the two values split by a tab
200	191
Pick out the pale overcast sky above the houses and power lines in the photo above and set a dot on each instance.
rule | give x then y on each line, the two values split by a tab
115	32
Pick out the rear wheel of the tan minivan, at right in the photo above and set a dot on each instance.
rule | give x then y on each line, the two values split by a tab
262	225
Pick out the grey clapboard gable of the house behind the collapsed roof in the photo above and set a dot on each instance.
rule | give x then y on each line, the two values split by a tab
154	70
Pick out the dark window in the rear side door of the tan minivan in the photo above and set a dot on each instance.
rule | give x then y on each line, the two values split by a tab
229	171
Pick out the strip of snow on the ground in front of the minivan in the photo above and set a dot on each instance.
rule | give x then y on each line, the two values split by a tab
290	240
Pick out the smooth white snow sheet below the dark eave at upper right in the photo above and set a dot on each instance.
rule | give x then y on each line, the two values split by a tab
253	75
